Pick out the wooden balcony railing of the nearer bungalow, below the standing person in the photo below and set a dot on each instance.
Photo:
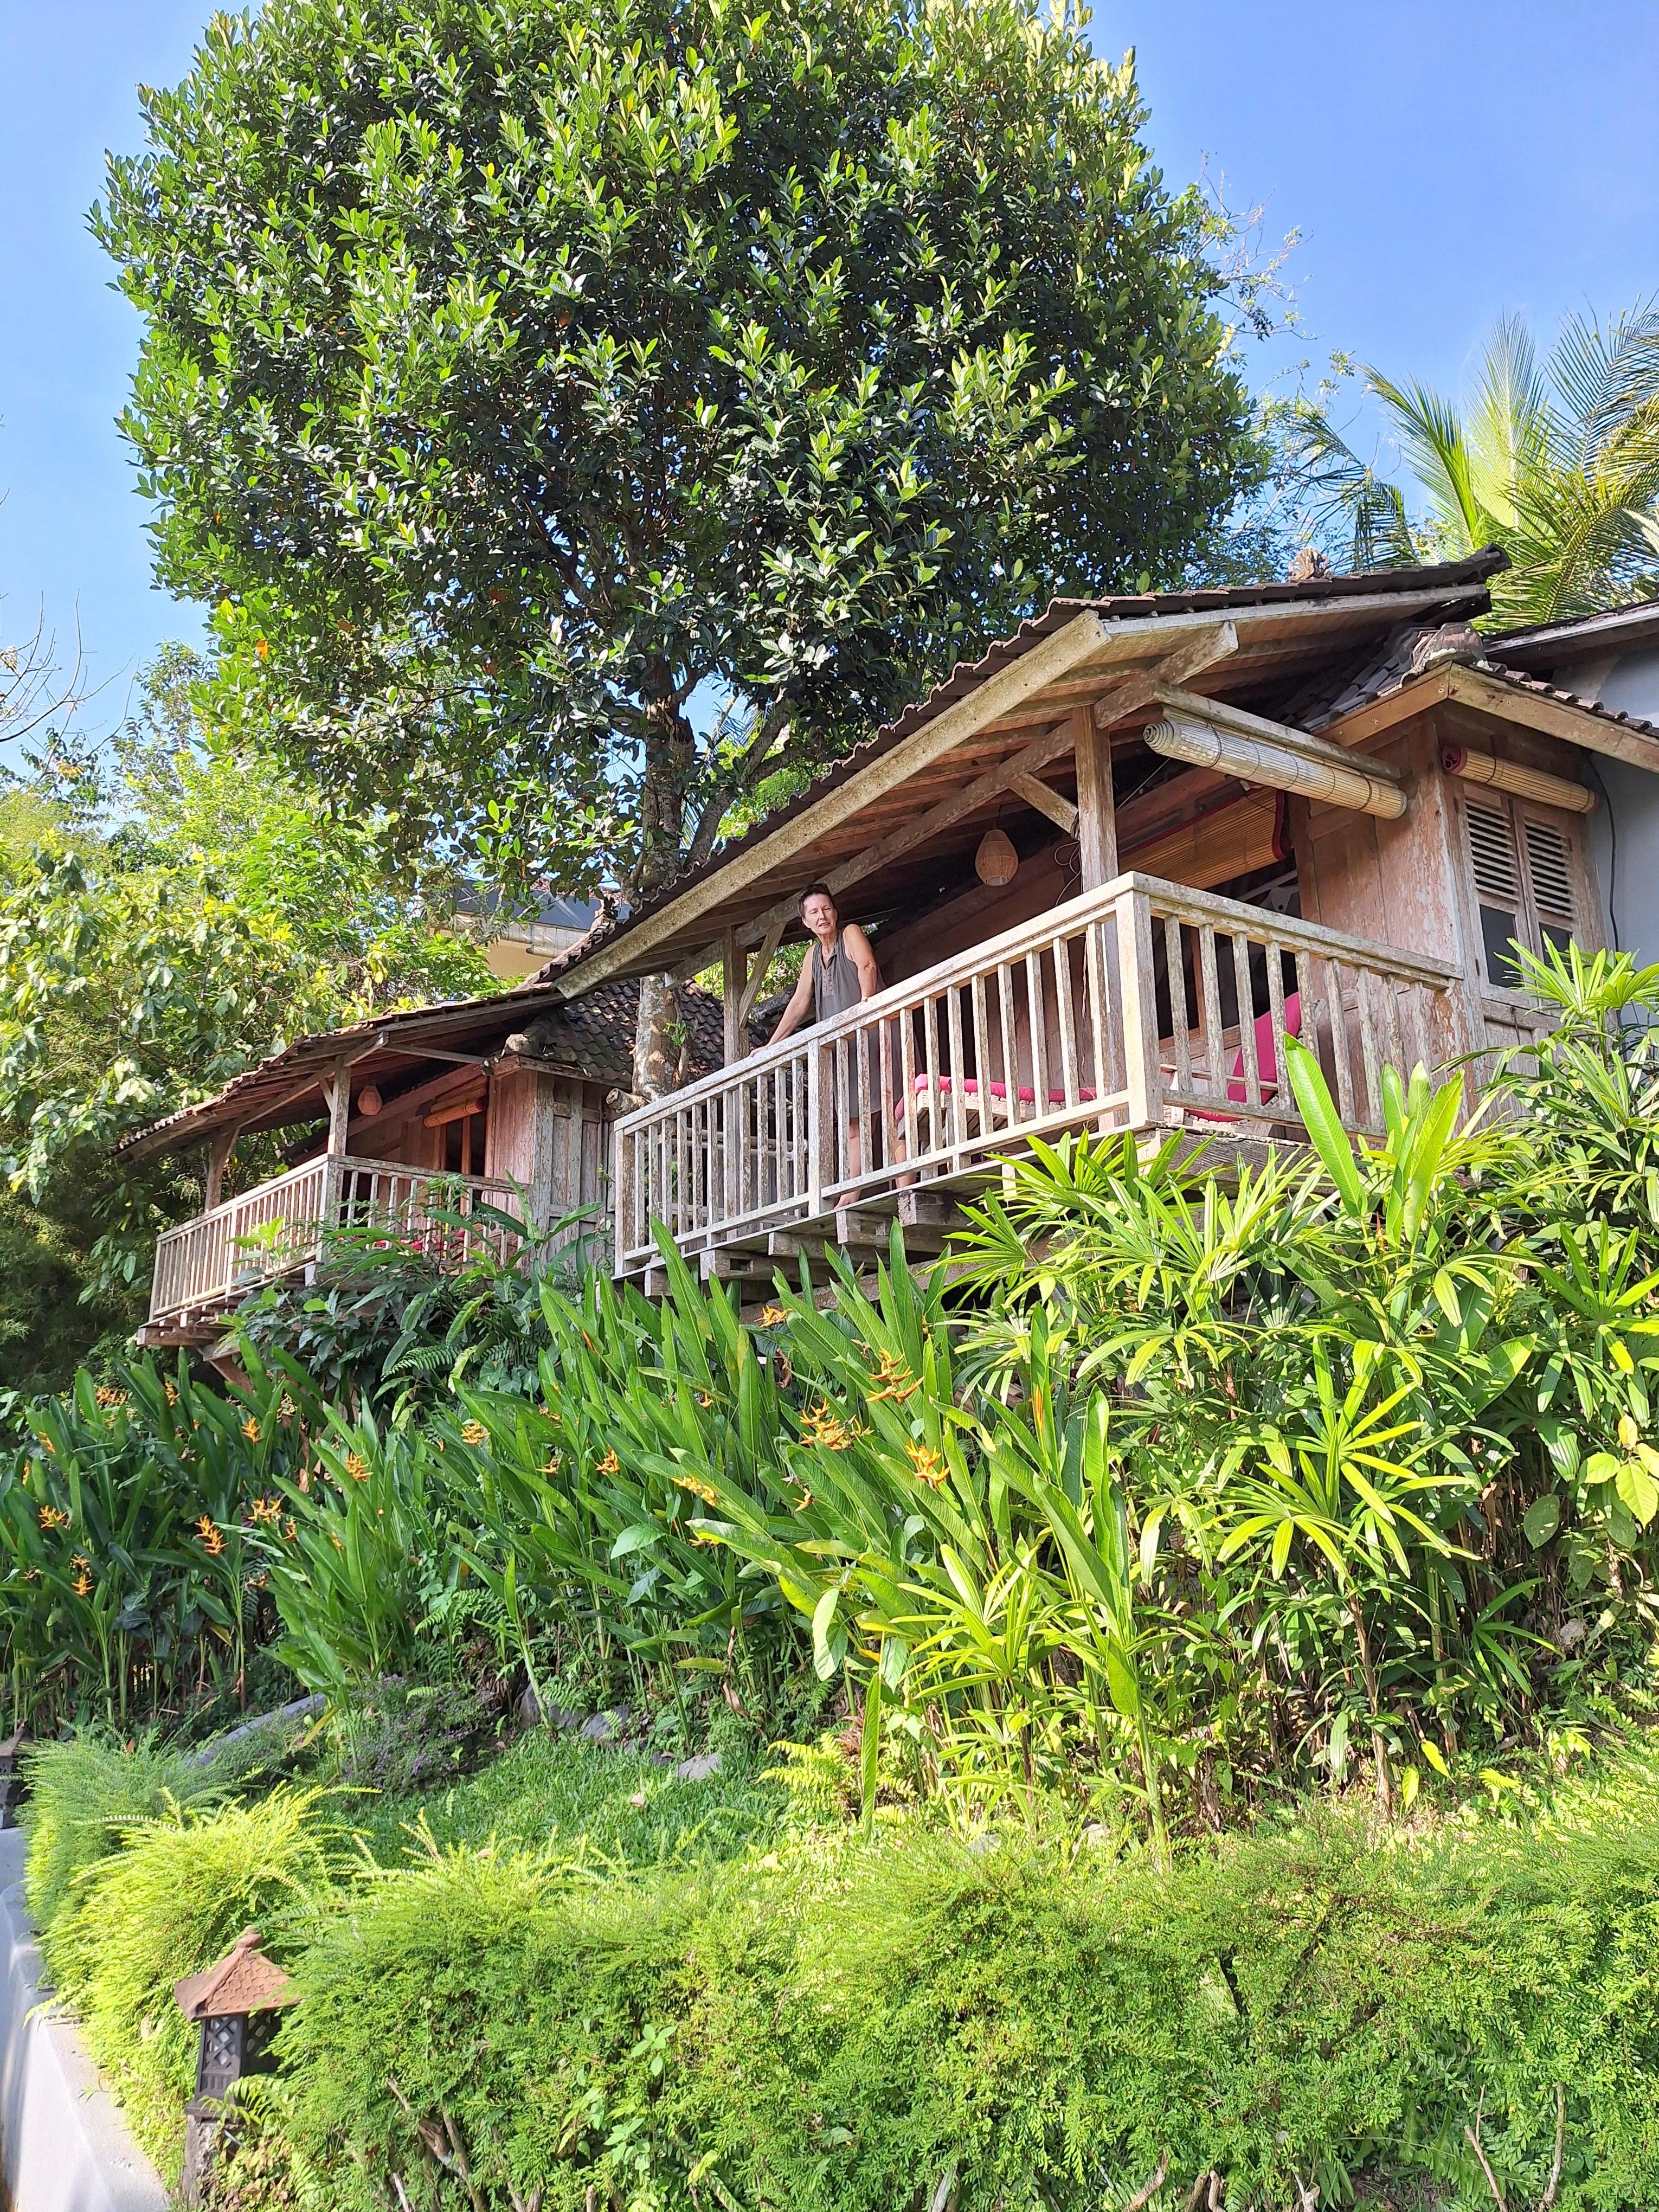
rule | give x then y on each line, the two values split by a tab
1140	1005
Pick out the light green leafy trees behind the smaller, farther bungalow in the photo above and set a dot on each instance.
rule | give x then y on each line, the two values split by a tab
169	917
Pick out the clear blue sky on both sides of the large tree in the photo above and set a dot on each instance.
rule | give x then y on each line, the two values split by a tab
1443	163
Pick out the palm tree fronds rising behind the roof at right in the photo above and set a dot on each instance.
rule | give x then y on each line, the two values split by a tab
1556	463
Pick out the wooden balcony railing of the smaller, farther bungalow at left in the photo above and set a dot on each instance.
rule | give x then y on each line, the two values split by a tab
271	1231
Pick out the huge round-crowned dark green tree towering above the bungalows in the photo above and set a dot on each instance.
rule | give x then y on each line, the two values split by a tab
581	408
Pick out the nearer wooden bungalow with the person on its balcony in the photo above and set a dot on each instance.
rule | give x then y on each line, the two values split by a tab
1315	808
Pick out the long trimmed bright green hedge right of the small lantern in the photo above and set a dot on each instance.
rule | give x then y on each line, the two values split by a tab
875	2025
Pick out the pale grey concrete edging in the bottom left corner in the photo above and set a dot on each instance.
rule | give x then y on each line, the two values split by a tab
63	2142
